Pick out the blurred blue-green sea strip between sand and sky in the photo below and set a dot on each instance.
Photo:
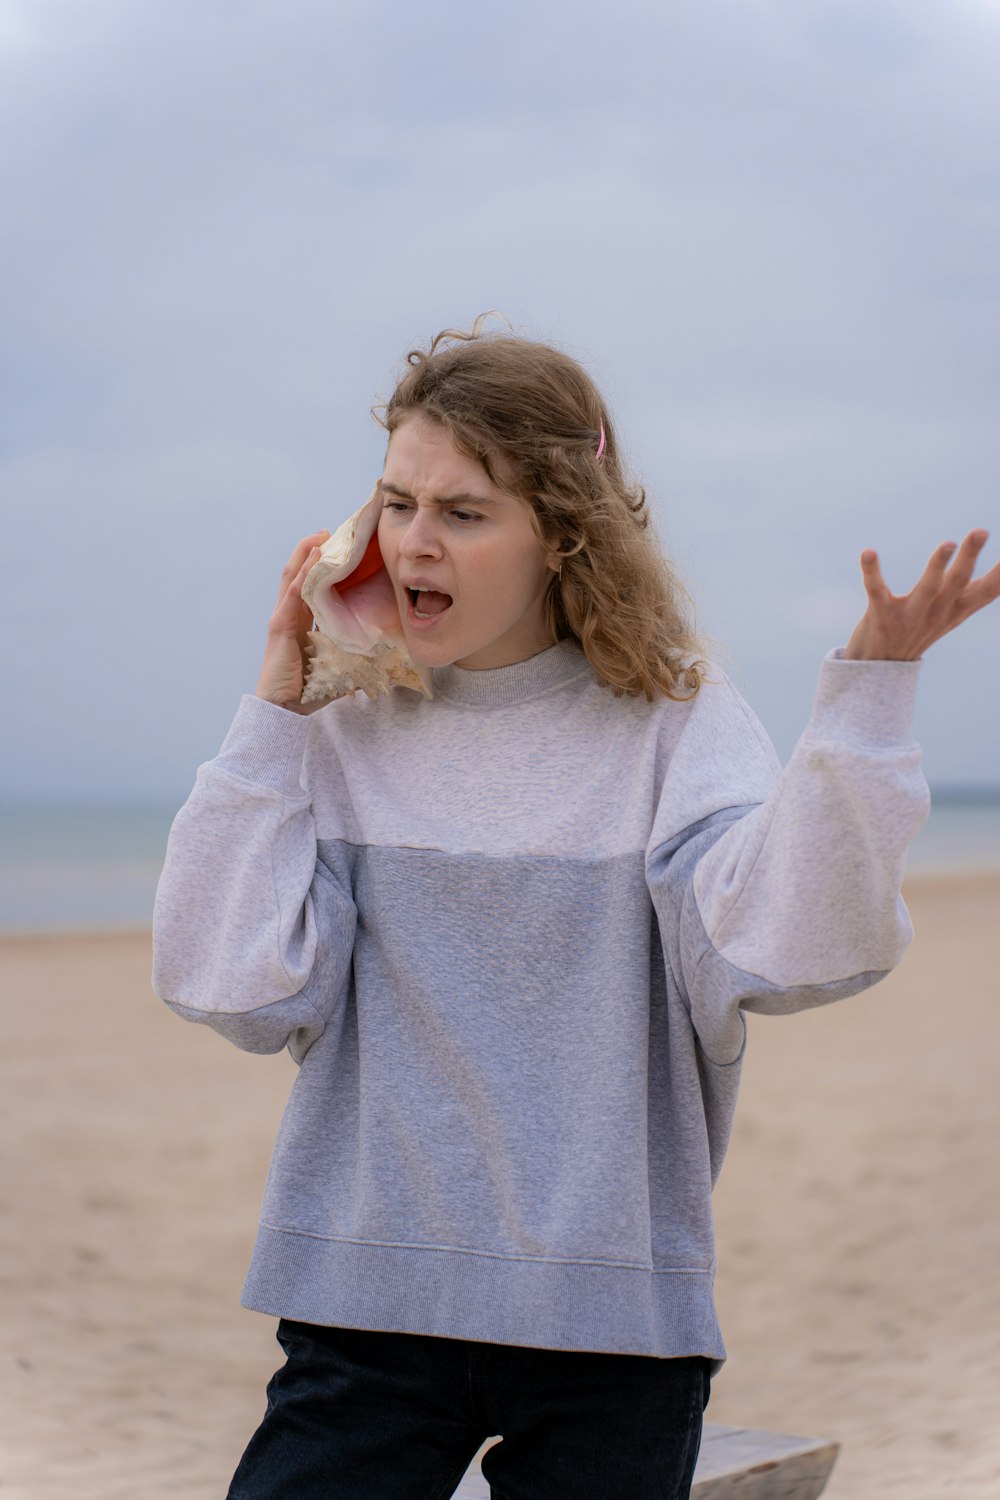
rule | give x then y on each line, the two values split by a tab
95	868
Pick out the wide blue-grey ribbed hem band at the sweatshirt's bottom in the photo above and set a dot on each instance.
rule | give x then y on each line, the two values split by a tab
454	1294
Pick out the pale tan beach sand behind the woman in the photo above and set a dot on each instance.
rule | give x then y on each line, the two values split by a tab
860	1246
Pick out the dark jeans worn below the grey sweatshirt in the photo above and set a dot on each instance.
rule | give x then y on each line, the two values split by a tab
356	1415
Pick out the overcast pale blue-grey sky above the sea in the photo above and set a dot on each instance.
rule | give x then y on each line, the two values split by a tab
770	229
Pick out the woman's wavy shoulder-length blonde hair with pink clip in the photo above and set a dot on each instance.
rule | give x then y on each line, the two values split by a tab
533	418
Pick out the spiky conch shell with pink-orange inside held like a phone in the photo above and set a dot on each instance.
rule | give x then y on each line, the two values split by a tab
359	640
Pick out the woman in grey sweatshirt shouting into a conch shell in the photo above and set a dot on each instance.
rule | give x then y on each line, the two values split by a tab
510	934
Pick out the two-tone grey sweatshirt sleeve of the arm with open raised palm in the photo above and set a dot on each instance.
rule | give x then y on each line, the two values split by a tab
780	890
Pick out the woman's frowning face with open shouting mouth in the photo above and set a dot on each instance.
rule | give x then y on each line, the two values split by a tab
448	529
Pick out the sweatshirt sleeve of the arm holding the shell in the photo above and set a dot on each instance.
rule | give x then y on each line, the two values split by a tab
251	934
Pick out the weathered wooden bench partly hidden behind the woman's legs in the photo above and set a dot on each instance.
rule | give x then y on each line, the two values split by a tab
735	1463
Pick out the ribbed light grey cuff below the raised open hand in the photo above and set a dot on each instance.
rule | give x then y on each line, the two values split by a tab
866	703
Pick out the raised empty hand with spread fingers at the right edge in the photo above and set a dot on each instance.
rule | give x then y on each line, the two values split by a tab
900	628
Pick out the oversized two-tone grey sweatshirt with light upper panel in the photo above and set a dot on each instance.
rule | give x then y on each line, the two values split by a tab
509	935
